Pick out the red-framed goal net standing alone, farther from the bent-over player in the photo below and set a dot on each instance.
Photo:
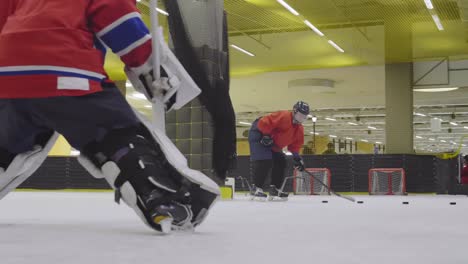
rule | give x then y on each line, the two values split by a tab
389	181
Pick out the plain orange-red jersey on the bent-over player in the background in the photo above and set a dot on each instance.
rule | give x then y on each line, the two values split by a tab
280	127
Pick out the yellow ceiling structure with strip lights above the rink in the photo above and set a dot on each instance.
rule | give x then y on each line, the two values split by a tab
370	32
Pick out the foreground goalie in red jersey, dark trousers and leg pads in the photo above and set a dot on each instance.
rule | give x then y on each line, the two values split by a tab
53	81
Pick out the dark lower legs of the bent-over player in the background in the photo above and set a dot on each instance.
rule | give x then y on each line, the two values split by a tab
261	168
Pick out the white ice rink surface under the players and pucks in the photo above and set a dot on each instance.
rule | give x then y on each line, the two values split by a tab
66	228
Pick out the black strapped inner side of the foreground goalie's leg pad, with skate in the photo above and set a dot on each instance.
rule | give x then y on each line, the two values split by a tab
140	177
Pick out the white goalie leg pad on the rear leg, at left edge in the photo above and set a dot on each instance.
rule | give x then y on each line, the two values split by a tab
24	165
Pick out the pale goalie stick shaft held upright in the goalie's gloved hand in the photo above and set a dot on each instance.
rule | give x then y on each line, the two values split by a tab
159	108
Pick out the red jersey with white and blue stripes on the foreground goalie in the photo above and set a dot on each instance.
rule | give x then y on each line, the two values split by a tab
57	47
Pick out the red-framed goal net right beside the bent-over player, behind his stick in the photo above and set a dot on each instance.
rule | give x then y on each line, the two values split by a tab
305	183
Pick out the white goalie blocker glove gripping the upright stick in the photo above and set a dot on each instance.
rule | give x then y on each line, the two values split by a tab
174	88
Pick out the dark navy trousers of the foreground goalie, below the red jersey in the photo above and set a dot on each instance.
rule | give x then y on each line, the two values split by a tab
80	119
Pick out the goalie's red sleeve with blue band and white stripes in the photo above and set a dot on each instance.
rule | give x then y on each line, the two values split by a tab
119	26
